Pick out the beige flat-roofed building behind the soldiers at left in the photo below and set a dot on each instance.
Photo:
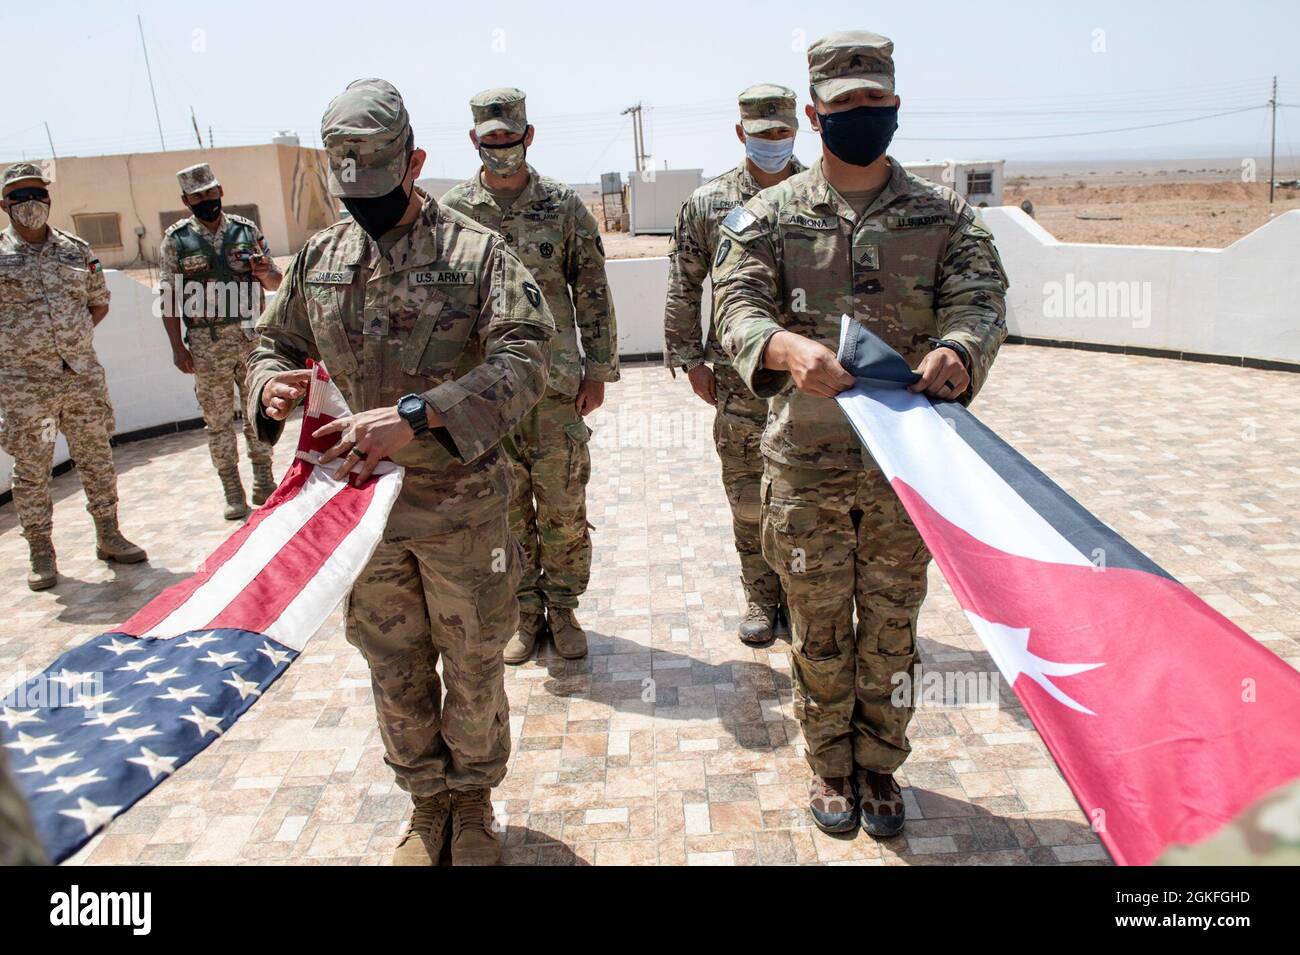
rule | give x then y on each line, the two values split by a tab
122	205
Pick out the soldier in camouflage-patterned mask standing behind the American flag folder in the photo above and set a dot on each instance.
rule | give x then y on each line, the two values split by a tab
553	233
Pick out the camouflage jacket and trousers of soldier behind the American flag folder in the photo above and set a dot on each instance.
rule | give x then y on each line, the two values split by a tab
558	241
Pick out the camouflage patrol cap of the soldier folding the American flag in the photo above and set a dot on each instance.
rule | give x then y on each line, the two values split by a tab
365	132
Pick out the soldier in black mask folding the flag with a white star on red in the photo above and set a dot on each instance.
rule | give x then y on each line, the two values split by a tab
853	236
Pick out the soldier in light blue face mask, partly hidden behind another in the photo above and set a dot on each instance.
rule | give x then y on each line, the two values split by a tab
768	129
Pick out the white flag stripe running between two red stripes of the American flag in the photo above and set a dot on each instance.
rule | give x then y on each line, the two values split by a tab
245	565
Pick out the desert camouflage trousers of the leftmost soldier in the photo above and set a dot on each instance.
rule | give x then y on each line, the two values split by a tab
79	406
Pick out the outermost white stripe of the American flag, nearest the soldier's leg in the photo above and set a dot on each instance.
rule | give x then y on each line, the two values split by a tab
317	601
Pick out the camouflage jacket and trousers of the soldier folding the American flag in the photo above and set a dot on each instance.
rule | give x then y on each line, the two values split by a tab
453	315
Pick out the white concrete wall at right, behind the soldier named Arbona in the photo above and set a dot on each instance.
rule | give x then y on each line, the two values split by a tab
1237	302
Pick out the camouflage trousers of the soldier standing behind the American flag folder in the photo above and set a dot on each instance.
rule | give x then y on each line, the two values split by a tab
551	465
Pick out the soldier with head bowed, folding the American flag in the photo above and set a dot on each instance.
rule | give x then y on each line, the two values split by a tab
437	336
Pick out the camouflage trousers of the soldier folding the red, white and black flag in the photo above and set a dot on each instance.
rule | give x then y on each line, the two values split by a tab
843	544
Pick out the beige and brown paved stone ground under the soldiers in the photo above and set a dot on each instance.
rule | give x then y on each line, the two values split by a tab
1199	466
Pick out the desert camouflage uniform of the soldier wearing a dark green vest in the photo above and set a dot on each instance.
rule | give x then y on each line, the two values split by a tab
220	351
